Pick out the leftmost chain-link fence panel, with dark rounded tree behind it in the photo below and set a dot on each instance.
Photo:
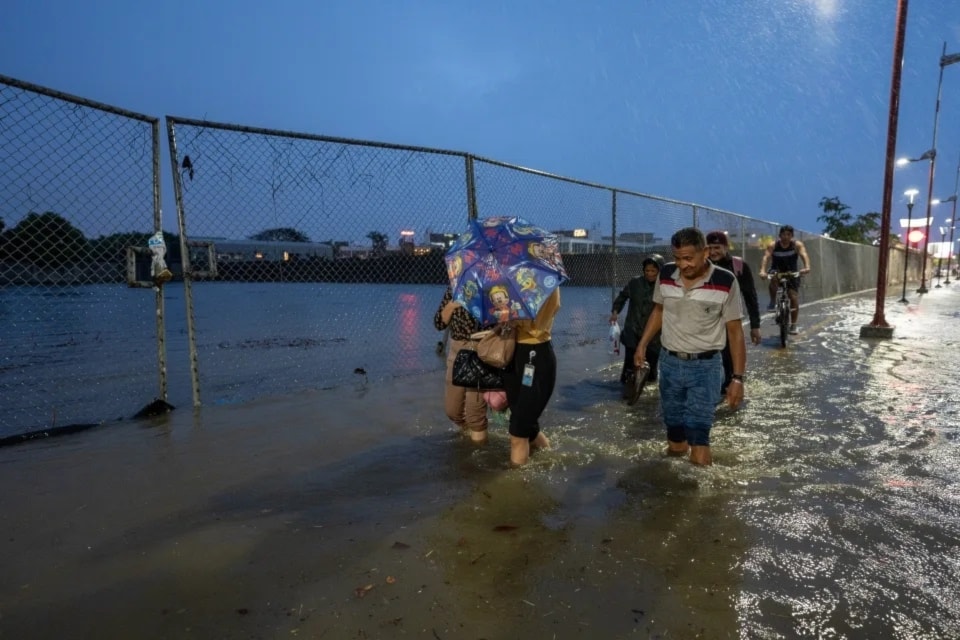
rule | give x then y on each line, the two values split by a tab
79	184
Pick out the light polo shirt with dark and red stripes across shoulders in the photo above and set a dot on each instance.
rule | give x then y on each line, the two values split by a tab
695	318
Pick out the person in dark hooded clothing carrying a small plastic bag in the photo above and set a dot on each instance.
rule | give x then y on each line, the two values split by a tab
639	293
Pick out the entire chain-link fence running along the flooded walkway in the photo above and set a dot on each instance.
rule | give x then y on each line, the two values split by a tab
298	261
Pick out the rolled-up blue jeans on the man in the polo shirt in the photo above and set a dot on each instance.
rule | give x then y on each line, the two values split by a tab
689	393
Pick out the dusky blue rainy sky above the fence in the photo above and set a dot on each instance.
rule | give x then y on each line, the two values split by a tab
759	107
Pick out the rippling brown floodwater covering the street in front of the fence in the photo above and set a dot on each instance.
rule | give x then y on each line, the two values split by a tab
832	509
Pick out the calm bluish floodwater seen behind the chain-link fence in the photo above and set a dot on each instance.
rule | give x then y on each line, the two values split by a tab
88	354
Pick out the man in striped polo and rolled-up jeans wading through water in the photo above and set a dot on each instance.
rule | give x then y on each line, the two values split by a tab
697	309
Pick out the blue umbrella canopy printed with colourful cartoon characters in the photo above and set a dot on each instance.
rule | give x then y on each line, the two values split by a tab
504	268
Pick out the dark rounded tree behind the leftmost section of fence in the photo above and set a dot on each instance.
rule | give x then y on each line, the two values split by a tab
46	240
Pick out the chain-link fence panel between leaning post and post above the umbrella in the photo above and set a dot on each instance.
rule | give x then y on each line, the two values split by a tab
305	255
